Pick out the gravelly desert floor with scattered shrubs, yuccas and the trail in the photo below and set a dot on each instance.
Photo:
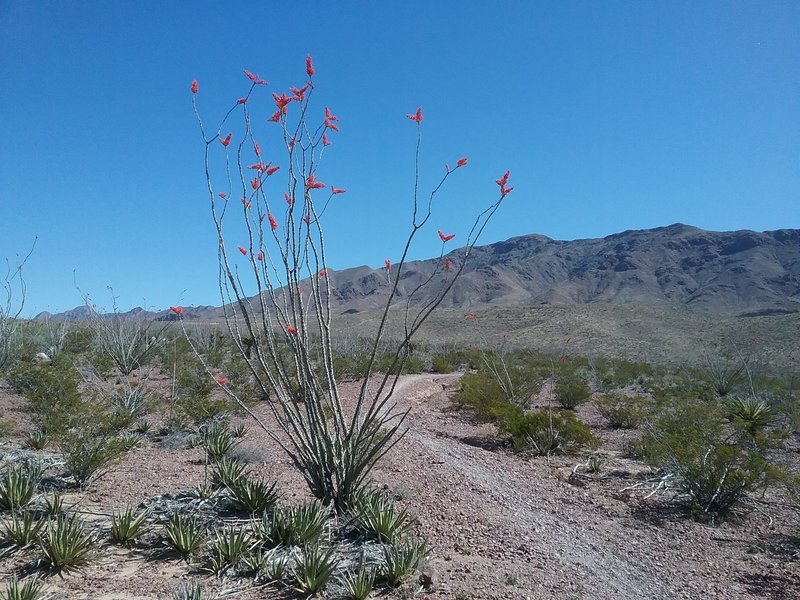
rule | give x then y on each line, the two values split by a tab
152	484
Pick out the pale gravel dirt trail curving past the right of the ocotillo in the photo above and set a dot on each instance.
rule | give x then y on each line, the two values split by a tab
505	527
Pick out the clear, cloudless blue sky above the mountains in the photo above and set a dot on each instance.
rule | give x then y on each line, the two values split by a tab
610	116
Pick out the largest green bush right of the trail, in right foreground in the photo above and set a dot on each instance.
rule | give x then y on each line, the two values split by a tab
715	470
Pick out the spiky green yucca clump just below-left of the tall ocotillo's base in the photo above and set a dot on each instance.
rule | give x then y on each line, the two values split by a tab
292	526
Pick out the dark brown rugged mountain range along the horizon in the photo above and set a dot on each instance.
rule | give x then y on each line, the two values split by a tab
682	267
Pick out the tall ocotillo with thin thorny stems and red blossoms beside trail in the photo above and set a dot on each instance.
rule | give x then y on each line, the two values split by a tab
276	293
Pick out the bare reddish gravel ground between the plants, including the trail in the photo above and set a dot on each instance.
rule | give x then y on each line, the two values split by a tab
500	525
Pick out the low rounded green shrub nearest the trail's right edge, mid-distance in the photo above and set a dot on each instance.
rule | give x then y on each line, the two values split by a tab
548	431
